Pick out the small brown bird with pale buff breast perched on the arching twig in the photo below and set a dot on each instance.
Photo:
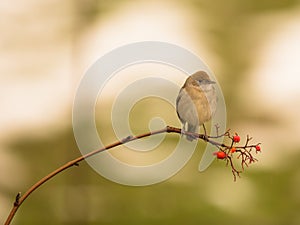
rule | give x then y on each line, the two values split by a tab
196	103
